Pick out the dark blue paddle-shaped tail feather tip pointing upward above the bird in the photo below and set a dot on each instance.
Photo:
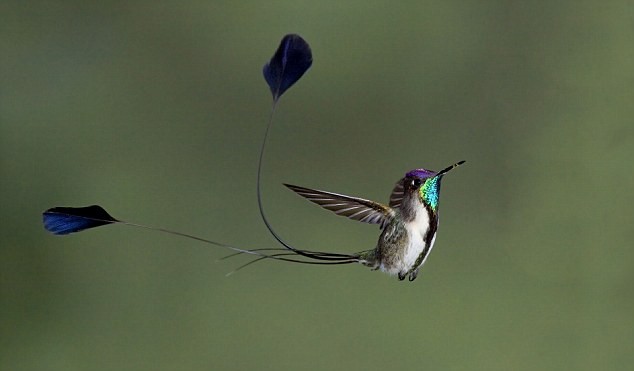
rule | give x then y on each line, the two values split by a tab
291	60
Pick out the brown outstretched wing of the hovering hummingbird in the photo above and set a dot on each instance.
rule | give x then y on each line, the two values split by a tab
352	207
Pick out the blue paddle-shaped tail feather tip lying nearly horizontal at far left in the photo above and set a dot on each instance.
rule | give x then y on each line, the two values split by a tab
65	220
